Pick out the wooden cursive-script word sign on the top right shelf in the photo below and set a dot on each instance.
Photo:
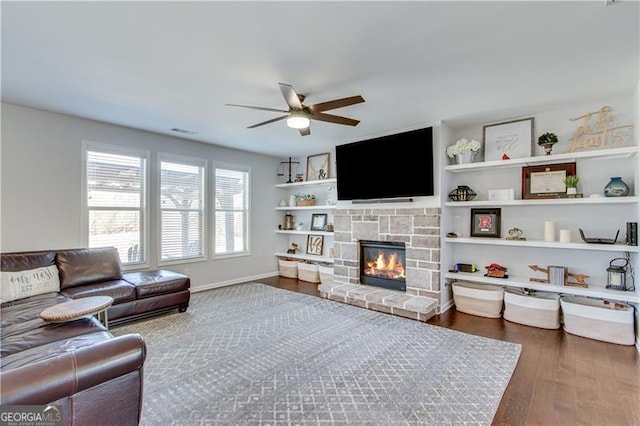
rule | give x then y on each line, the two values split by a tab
597	132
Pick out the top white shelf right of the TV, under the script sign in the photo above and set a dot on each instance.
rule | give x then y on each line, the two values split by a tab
624	152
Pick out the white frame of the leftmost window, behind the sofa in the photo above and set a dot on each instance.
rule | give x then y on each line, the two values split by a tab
106	148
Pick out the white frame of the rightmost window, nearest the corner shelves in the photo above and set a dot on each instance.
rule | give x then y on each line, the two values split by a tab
247	210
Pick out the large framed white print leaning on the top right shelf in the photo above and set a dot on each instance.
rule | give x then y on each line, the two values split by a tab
511	139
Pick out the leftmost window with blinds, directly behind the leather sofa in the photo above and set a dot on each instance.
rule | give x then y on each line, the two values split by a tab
115	184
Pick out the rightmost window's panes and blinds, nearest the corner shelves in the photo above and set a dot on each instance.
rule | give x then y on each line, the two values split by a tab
231	210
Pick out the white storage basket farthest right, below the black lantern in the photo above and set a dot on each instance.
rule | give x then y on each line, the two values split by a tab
598	319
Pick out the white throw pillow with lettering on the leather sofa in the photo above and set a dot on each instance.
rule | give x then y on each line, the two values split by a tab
21	284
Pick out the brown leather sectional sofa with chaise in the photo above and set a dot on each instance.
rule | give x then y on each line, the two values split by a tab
94	377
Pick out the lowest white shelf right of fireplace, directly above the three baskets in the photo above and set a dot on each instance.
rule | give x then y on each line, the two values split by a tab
523	282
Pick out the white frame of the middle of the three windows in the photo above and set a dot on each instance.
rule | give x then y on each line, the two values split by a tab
190	161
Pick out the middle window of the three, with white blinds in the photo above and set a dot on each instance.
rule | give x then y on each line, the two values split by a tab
182	208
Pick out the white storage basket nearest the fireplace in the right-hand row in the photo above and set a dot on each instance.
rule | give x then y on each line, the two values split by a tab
478	299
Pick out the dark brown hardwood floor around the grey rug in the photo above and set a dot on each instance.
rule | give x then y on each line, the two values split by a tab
560	379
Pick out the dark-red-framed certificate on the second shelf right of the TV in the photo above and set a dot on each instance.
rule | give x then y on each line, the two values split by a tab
546	181
